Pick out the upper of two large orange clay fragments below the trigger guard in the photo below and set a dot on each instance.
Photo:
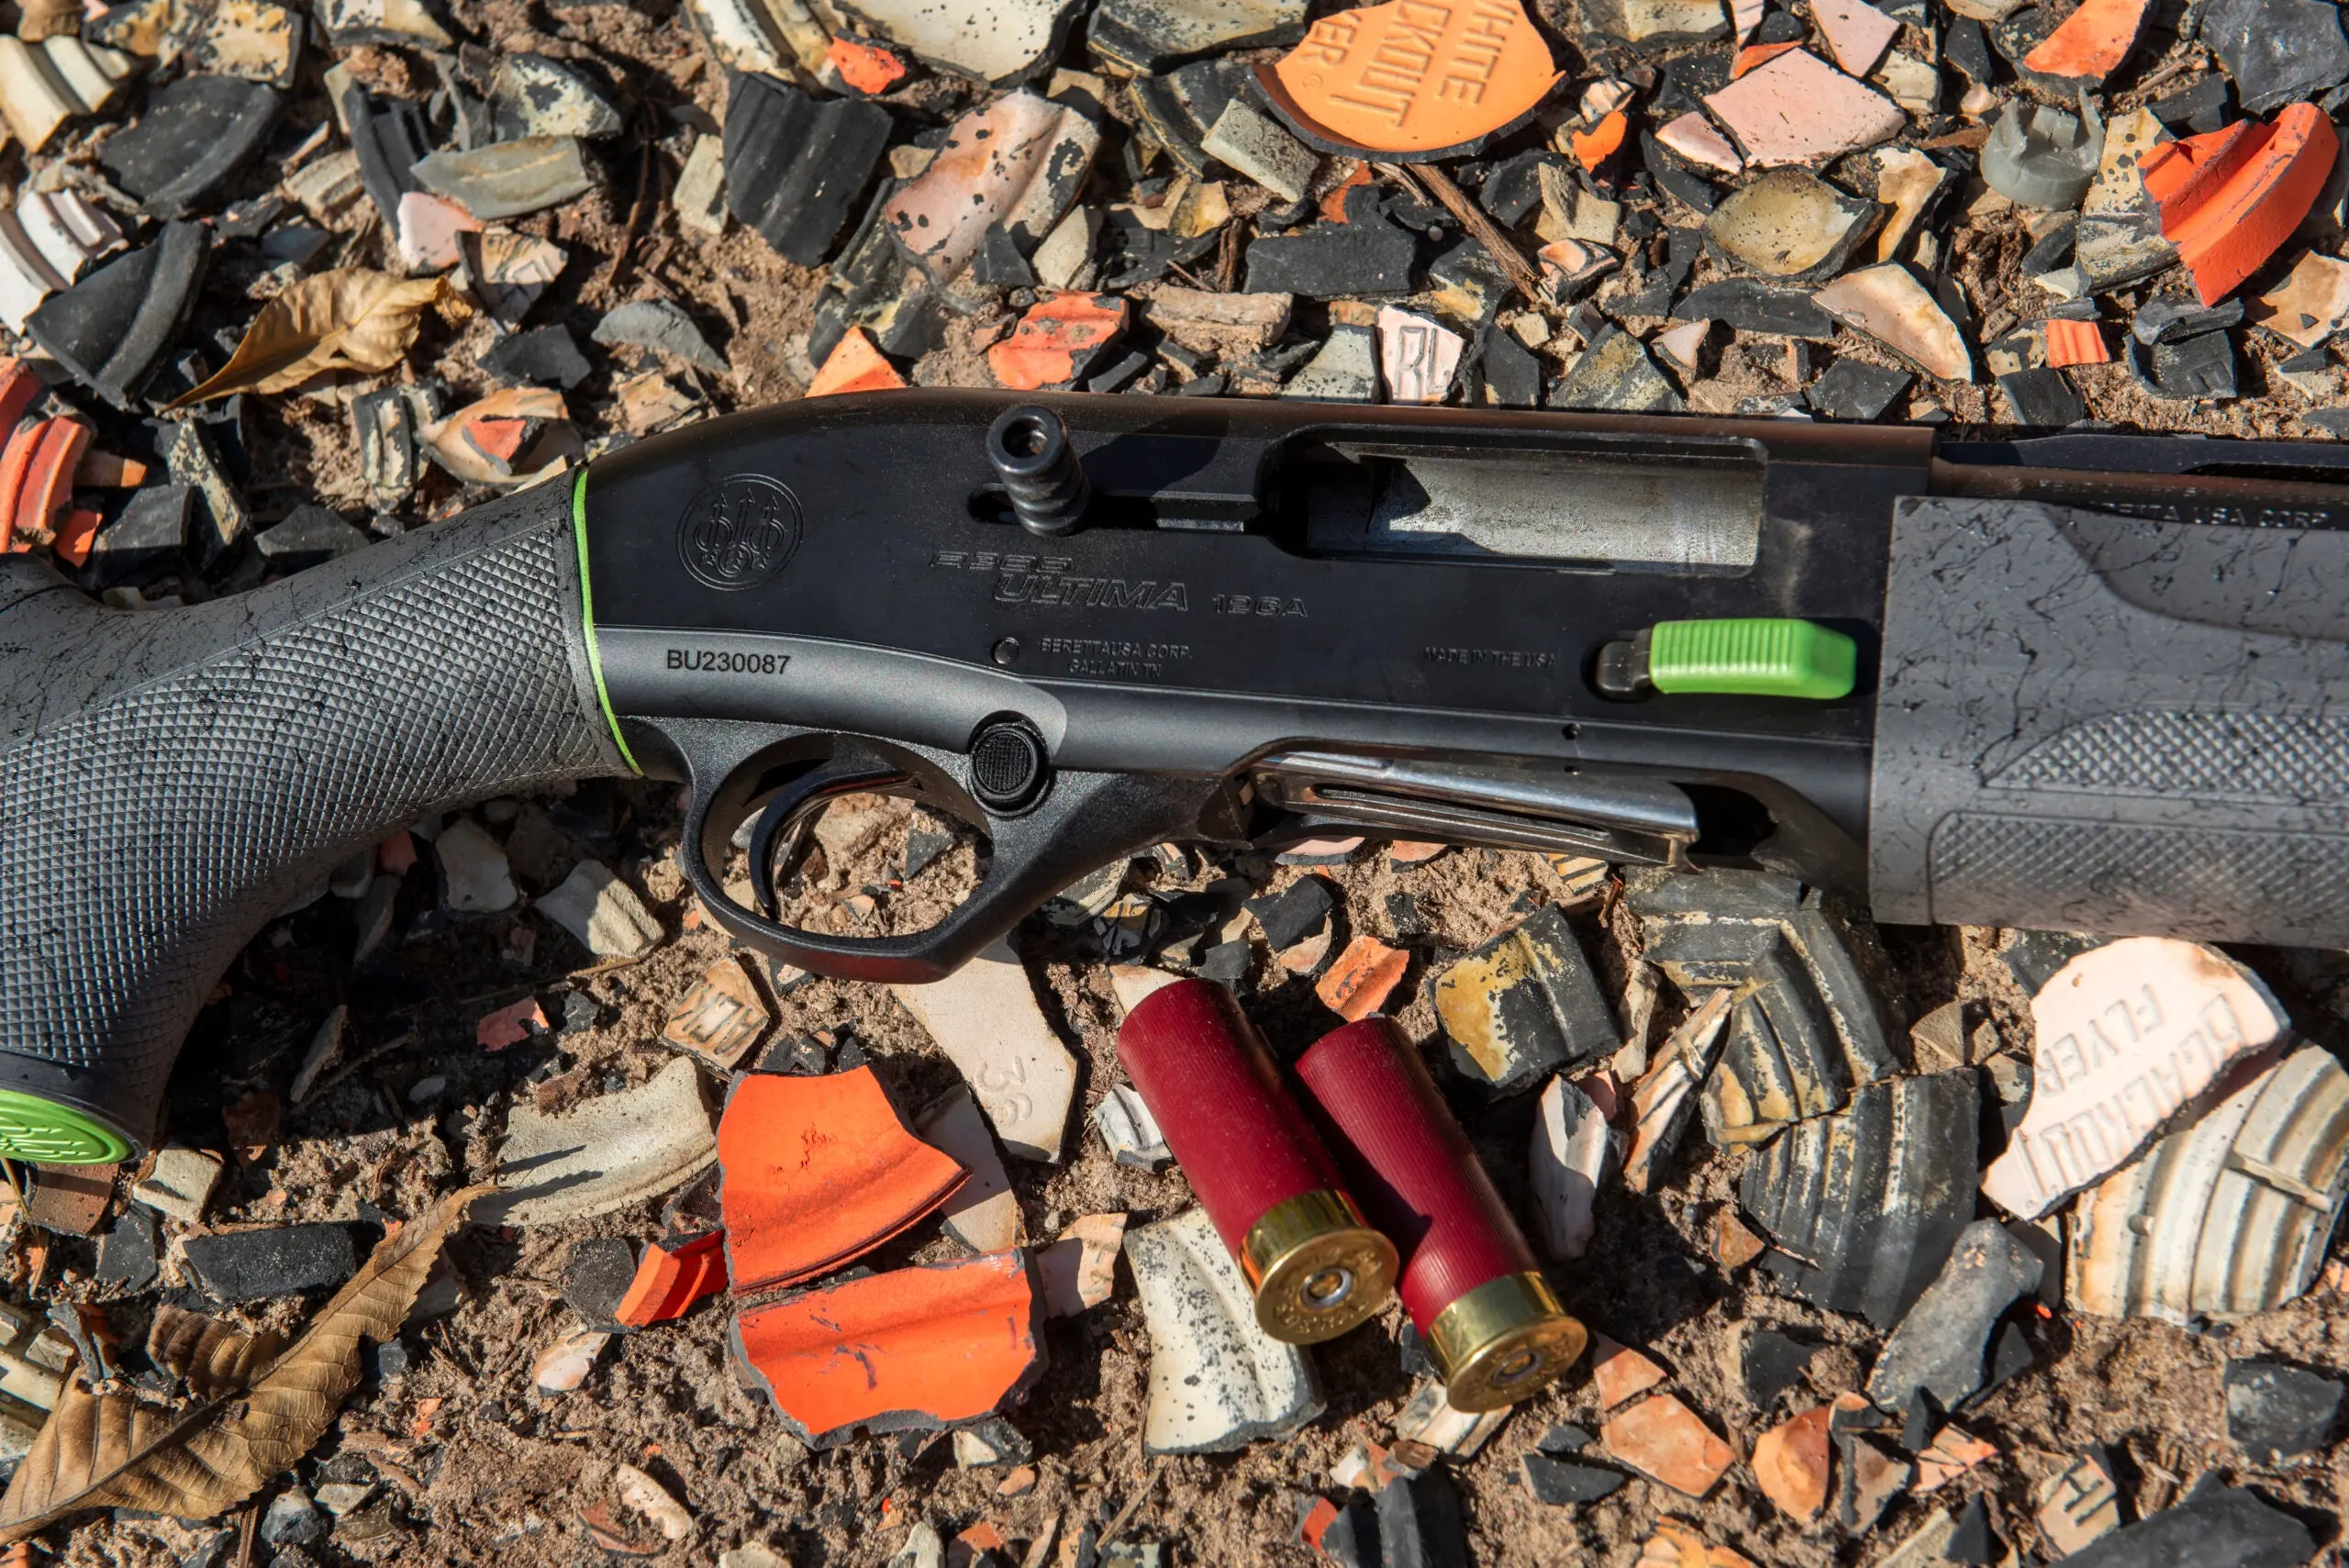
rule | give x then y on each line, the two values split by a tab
816	1172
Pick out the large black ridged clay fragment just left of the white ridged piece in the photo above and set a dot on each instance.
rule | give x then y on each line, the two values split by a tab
1866	1205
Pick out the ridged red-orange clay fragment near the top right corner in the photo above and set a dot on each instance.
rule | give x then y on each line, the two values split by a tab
2230	198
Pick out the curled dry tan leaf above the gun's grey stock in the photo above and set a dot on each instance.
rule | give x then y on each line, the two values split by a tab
344	320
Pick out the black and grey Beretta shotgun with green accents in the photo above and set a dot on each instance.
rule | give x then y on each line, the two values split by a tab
2082	682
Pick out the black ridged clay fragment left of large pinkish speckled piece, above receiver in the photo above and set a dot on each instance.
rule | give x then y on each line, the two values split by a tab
795	165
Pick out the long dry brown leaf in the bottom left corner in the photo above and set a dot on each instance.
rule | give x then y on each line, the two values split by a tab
121	1452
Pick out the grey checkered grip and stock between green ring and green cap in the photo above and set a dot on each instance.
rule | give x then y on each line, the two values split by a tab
238	752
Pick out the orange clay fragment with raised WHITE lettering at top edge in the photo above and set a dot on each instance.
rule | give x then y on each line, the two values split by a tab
1413	79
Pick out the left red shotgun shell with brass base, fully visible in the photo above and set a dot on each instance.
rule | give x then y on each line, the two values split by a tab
1256	1163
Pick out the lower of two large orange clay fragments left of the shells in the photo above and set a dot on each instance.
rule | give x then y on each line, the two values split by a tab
913	1349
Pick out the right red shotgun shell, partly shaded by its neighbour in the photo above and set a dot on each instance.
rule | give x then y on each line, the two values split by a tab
1469	1280
